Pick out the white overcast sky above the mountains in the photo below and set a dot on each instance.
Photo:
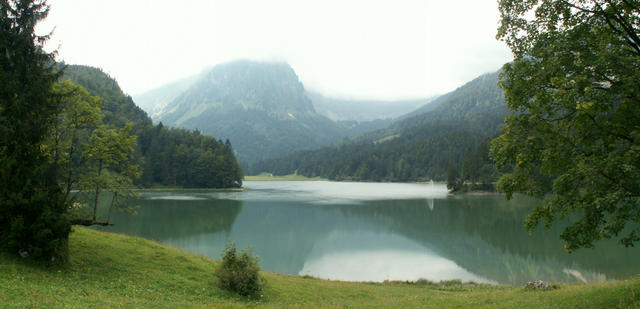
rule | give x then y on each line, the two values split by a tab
351	49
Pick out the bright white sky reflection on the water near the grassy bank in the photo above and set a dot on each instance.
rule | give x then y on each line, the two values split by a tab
367	256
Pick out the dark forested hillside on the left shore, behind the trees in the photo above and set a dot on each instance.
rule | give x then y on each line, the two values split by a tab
171	157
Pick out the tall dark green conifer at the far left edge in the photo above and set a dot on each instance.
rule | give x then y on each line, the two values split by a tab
33	219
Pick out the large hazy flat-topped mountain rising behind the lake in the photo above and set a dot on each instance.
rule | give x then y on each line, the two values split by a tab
262	108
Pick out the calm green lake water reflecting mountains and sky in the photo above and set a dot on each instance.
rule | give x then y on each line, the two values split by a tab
373	232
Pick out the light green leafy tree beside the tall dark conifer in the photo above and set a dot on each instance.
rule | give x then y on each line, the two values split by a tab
93	157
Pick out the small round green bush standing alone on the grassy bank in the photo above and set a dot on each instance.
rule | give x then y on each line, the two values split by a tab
239	273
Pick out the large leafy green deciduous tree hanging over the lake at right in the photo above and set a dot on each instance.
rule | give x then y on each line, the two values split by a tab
574	130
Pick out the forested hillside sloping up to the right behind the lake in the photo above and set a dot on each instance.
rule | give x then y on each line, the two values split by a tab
420	147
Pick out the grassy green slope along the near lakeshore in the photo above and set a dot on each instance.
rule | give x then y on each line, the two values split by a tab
110	270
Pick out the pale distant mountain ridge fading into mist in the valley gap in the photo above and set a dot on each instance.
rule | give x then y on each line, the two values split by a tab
363	110
